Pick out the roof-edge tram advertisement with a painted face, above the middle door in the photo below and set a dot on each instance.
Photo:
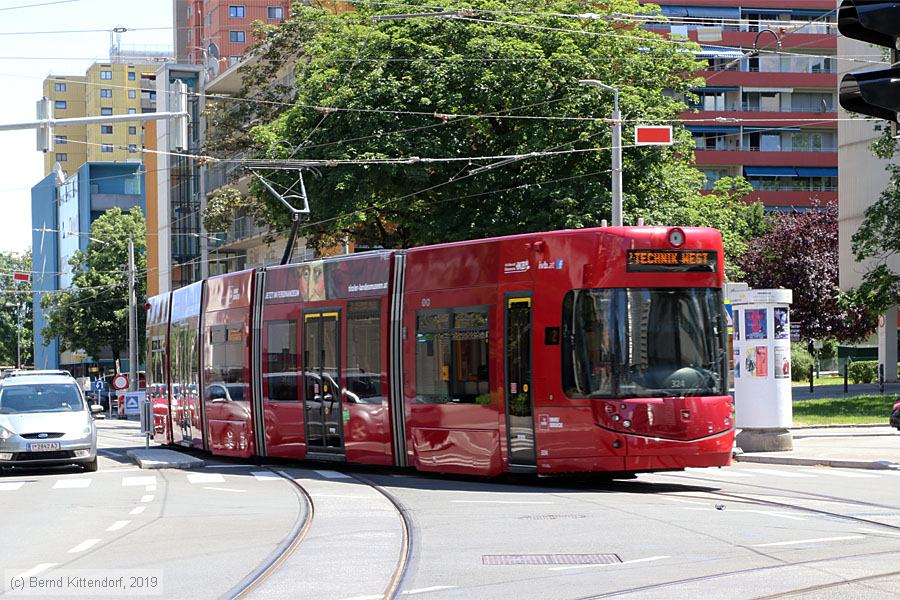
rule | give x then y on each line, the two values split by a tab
328	279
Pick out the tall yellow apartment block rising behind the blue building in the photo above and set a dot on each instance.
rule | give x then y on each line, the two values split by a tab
106	89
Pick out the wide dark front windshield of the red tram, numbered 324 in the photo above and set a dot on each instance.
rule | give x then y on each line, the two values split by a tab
643	342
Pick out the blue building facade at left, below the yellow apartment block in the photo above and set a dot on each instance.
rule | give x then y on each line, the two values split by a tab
62	213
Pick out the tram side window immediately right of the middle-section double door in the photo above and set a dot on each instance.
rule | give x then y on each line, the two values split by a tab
363	370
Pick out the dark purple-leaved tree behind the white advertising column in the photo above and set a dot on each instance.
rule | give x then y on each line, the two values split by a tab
800	252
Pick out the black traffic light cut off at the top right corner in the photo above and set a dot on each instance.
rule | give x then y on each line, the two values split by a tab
872	92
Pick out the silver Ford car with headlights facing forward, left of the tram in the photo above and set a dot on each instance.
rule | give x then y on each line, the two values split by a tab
45	421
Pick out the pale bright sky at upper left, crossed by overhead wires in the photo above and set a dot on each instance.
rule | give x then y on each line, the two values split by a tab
27	57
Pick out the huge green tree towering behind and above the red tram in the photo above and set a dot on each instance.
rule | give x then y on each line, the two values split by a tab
501	81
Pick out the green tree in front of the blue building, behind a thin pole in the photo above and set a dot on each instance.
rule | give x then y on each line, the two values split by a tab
93	313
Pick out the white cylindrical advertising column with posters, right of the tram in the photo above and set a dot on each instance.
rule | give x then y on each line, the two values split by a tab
762	369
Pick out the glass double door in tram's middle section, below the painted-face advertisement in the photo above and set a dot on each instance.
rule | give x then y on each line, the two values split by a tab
322	390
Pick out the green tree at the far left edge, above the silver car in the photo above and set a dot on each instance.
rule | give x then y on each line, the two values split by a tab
16	314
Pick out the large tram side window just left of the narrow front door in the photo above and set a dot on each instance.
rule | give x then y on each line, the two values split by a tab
452	363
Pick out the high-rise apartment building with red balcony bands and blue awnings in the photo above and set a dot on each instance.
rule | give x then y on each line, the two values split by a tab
769	117
